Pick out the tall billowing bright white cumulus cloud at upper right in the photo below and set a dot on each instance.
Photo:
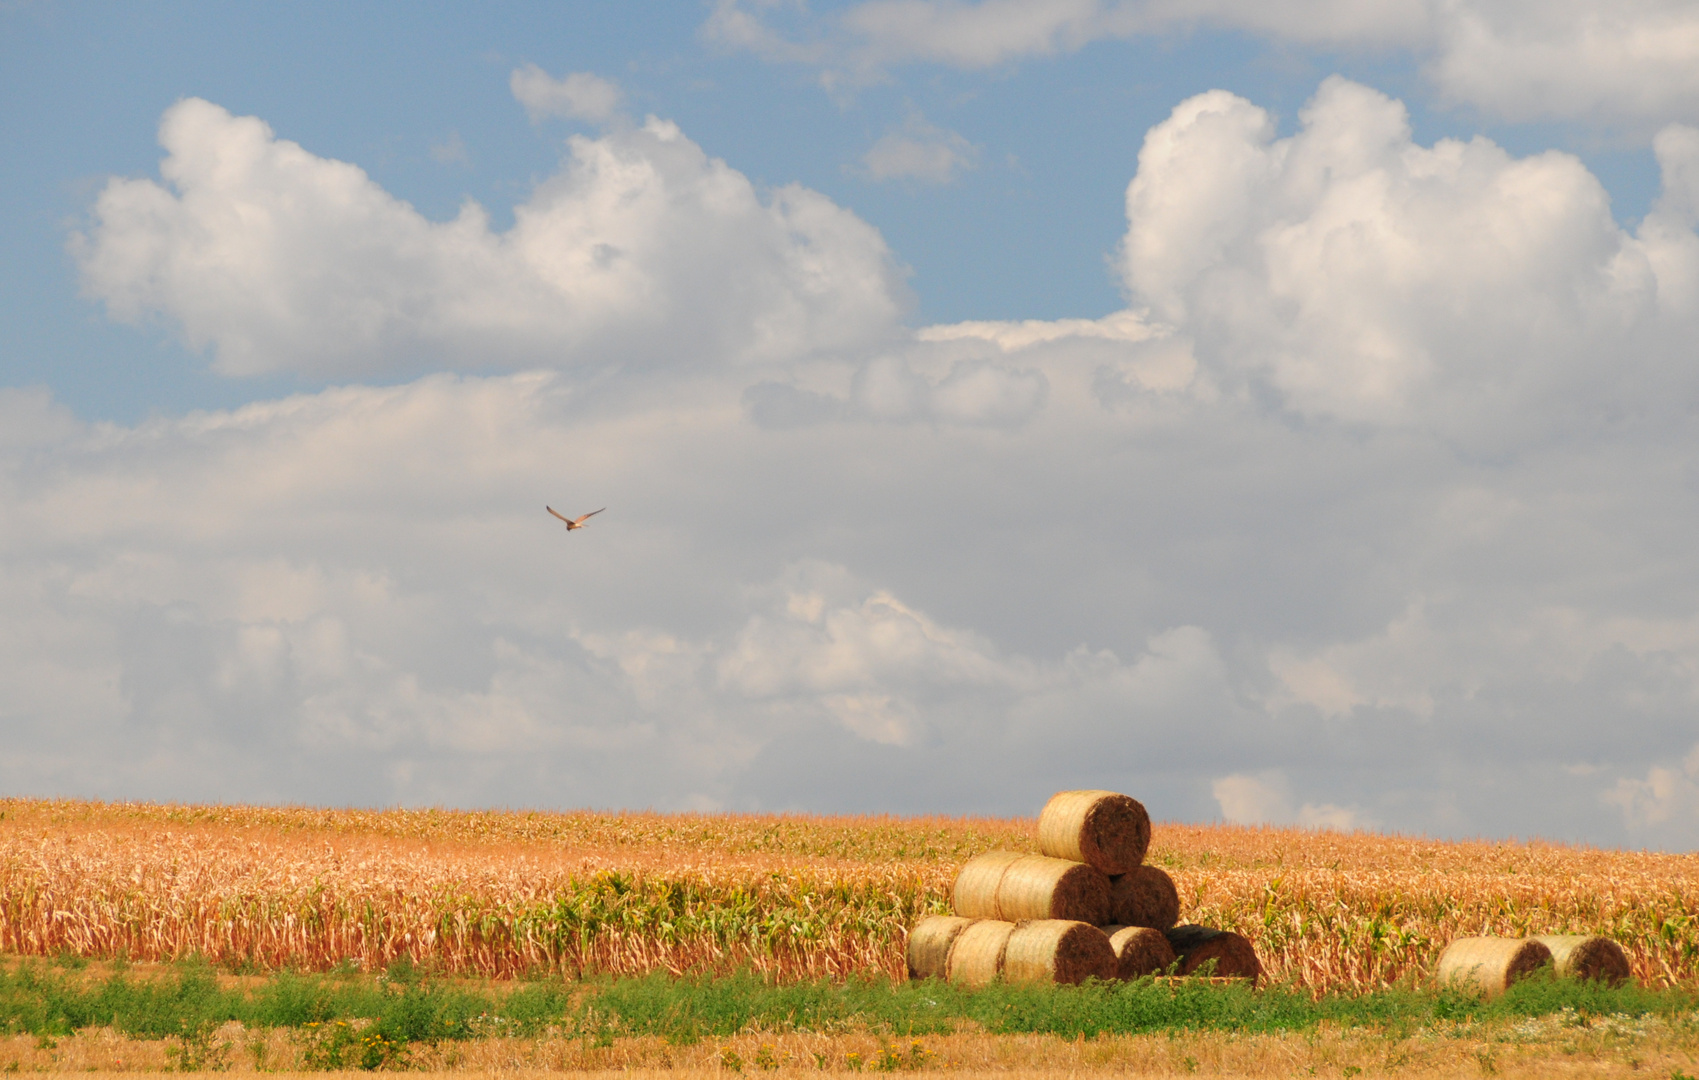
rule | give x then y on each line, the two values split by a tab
1358	276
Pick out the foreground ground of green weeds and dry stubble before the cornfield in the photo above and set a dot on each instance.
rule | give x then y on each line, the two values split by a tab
110	1018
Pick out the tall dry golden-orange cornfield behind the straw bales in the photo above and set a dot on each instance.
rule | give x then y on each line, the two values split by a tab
502	894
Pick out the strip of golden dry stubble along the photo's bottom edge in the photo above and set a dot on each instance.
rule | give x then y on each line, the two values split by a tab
1537	1049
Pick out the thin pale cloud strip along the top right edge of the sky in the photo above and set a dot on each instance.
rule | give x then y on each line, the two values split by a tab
1625	64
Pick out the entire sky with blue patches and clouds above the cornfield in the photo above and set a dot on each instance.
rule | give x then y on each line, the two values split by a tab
1278	412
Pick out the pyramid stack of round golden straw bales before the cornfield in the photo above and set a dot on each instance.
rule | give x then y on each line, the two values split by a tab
1085	908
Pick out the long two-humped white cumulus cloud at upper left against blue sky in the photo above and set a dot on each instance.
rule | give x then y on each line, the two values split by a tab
281	261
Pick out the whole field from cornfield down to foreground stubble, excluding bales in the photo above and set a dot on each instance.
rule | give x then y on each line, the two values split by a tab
577	909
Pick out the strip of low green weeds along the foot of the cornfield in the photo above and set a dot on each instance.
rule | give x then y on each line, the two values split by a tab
356	1018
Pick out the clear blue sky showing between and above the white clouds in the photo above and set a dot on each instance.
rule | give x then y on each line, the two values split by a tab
1022	235
